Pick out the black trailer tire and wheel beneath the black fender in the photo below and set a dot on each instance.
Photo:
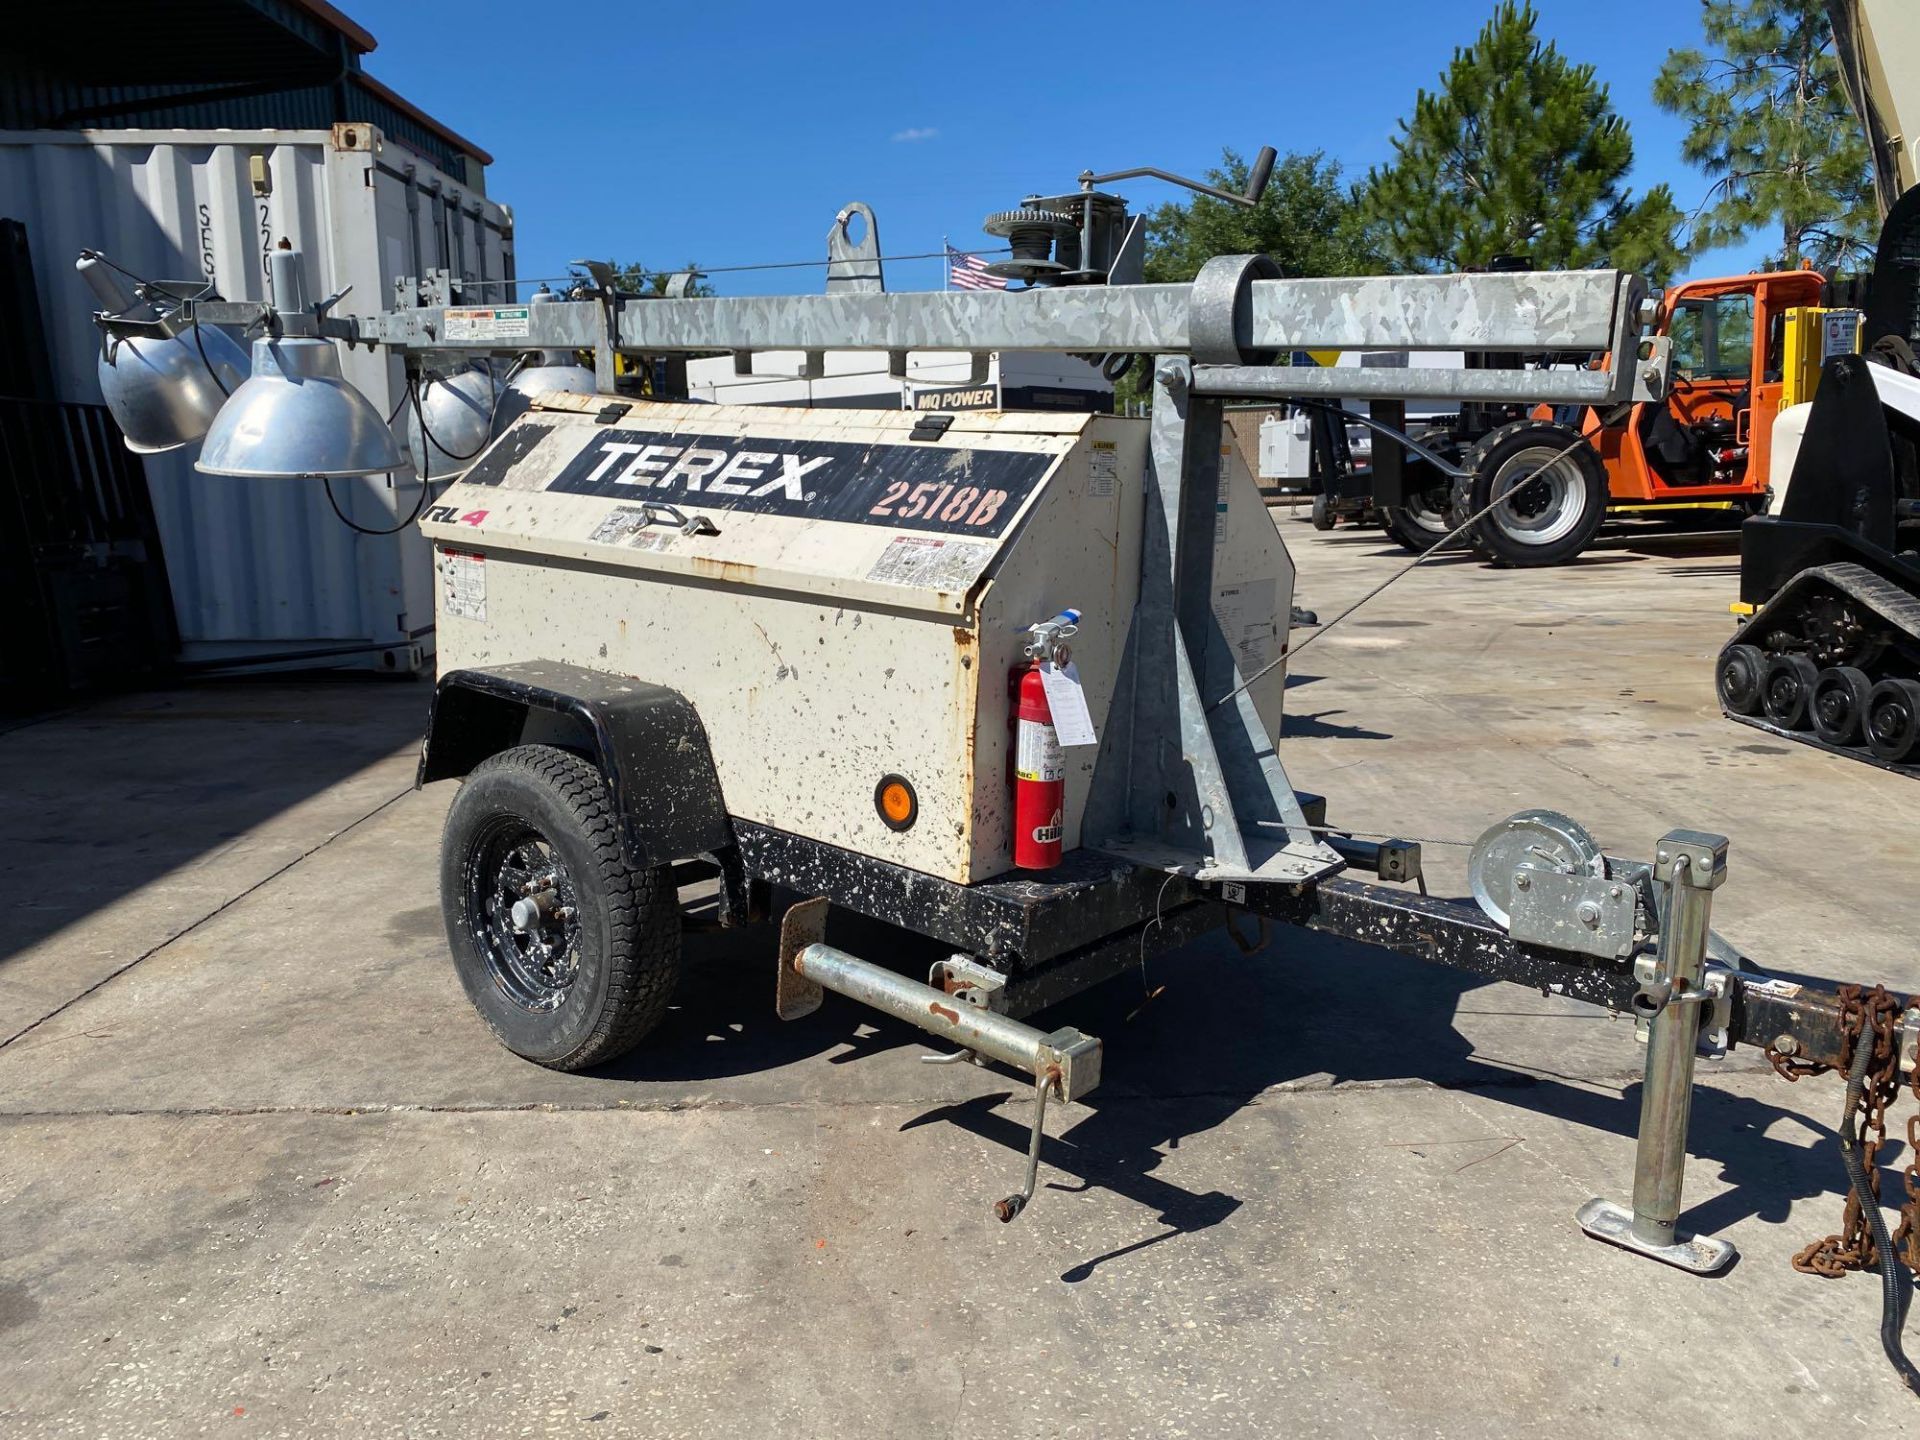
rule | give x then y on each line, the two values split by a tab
573	990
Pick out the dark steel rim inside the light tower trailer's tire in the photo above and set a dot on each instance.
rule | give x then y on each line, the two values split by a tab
533	965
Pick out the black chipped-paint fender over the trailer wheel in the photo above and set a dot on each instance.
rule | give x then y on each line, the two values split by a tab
648	742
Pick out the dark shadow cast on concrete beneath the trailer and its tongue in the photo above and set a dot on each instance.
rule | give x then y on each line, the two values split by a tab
1226	1032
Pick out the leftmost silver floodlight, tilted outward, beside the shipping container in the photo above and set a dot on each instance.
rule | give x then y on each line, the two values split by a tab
164	383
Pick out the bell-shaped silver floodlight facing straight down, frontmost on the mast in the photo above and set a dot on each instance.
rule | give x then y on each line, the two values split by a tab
299	418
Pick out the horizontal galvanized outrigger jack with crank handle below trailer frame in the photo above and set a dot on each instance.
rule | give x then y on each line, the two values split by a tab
1063	1063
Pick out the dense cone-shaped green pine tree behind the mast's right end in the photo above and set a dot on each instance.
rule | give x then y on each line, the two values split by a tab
1520	153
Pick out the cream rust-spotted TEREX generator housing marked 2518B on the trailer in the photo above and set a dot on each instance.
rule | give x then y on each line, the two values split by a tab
850	602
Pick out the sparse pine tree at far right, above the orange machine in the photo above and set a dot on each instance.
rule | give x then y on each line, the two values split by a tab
1773	130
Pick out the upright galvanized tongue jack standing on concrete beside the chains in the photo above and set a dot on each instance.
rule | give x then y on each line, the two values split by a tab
1694	867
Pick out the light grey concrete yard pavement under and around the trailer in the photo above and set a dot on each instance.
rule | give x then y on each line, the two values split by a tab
262	1172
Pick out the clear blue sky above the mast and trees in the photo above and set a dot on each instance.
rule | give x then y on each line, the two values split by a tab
732	133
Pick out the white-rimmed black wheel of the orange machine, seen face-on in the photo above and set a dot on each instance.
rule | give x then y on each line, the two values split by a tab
1556	514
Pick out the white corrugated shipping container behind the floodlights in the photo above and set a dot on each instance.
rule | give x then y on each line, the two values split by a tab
264	573
